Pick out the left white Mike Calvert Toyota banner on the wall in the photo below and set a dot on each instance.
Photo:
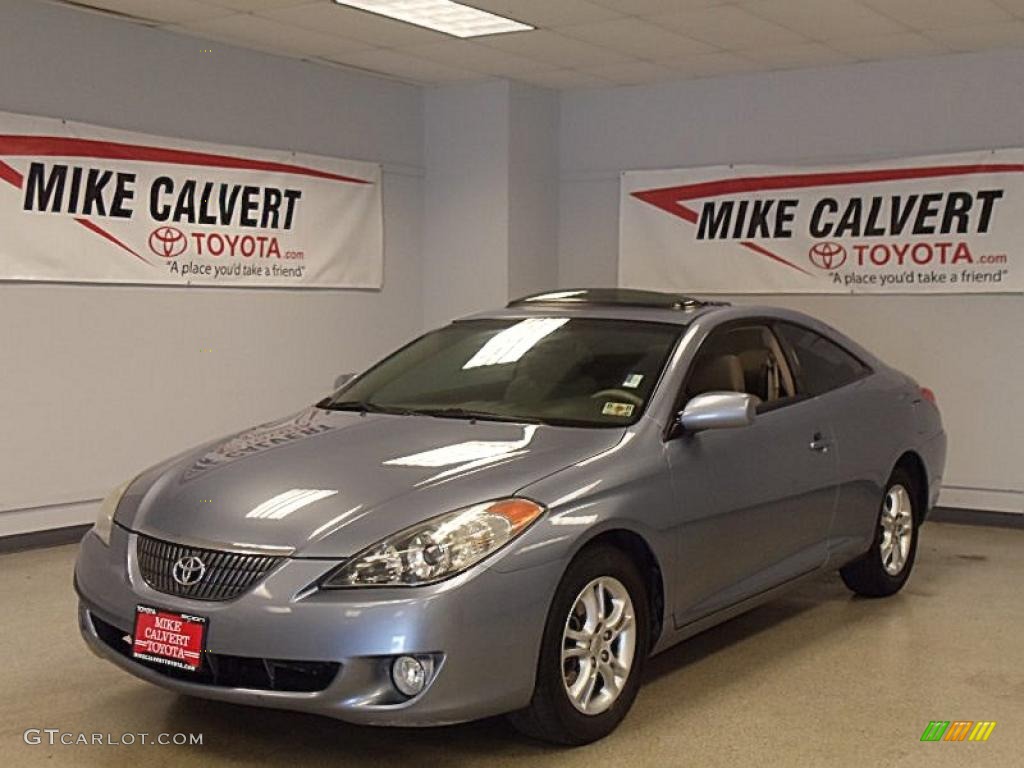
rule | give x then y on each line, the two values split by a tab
79	203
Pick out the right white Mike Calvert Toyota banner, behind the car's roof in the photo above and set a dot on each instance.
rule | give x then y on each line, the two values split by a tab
942	225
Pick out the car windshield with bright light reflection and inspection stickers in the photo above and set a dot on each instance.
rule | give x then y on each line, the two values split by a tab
573	372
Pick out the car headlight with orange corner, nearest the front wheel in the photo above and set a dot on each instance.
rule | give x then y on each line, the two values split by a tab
439	548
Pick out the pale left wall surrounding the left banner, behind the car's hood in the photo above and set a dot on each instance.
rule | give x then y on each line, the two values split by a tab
97	382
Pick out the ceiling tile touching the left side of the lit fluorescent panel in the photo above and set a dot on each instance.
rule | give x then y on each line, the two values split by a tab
329	18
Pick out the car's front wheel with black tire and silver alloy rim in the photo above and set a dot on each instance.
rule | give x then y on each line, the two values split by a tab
552	716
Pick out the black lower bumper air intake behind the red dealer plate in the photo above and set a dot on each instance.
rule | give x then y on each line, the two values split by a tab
231	672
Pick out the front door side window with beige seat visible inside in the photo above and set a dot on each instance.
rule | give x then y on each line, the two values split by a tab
742	359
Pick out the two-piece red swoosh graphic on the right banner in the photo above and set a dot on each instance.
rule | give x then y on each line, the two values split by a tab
670	199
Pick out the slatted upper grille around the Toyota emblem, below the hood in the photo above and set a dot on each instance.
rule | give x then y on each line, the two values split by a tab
227	575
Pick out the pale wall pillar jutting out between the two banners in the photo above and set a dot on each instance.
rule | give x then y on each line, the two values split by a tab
491	210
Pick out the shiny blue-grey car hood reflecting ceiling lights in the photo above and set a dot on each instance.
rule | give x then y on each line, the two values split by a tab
327	484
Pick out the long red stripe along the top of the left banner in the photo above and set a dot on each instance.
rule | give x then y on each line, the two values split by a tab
59	147
